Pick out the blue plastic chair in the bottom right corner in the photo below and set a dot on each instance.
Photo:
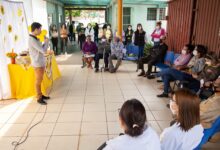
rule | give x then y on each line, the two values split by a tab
208	133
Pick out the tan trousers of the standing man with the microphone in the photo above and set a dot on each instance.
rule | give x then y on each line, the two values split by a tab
39	73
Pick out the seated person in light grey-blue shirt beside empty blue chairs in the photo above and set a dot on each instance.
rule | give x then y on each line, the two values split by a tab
116	52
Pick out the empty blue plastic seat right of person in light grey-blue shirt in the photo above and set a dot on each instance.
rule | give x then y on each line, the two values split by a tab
134	50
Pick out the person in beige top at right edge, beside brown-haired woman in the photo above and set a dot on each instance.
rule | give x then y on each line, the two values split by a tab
210	109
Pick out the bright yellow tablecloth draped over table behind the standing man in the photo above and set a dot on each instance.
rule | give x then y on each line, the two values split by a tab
23	81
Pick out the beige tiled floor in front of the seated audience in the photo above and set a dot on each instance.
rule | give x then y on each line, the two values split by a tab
83	110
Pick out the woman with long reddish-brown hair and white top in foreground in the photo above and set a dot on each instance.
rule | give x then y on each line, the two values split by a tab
187	132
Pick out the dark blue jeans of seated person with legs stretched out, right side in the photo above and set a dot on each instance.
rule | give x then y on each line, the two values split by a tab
171	74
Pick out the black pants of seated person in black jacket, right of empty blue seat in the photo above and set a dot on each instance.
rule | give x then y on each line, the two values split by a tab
147	60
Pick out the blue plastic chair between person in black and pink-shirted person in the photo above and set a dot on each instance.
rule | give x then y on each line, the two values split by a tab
169	57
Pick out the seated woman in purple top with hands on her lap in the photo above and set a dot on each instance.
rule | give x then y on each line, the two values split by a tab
89	51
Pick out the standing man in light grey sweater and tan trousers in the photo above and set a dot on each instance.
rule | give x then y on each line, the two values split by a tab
37	59
